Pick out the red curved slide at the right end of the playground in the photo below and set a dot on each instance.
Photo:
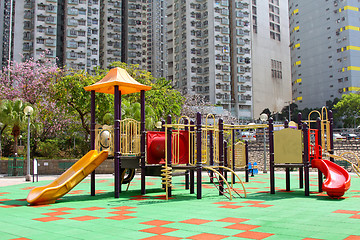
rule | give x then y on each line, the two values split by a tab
337	178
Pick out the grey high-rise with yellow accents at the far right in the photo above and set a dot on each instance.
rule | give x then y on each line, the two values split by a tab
325	50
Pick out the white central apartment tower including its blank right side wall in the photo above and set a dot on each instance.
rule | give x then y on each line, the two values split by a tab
235	53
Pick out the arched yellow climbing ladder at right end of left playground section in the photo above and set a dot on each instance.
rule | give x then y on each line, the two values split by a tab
222	184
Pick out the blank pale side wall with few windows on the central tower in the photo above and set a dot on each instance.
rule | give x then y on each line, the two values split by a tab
271	71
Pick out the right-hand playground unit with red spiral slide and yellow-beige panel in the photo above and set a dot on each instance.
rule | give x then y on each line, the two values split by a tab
303	148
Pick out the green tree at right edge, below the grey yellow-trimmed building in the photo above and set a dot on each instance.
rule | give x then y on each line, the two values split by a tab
348	109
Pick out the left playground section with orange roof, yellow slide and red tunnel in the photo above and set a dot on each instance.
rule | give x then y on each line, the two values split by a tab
186	146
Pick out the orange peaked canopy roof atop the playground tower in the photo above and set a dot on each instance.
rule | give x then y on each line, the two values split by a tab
117	77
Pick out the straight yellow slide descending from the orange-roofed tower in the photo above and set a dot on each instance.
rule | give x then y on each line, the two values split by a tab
68	180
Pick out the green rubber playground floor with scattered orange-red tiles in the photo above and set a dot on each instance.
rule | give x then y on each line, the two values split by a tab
284	215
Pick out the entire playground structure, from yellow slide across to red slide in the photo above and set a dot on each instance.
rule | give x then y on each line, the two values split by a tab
185	145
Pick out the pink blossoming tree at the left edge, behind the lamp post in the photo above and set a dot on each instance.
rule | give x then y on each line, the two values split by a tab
33	82
